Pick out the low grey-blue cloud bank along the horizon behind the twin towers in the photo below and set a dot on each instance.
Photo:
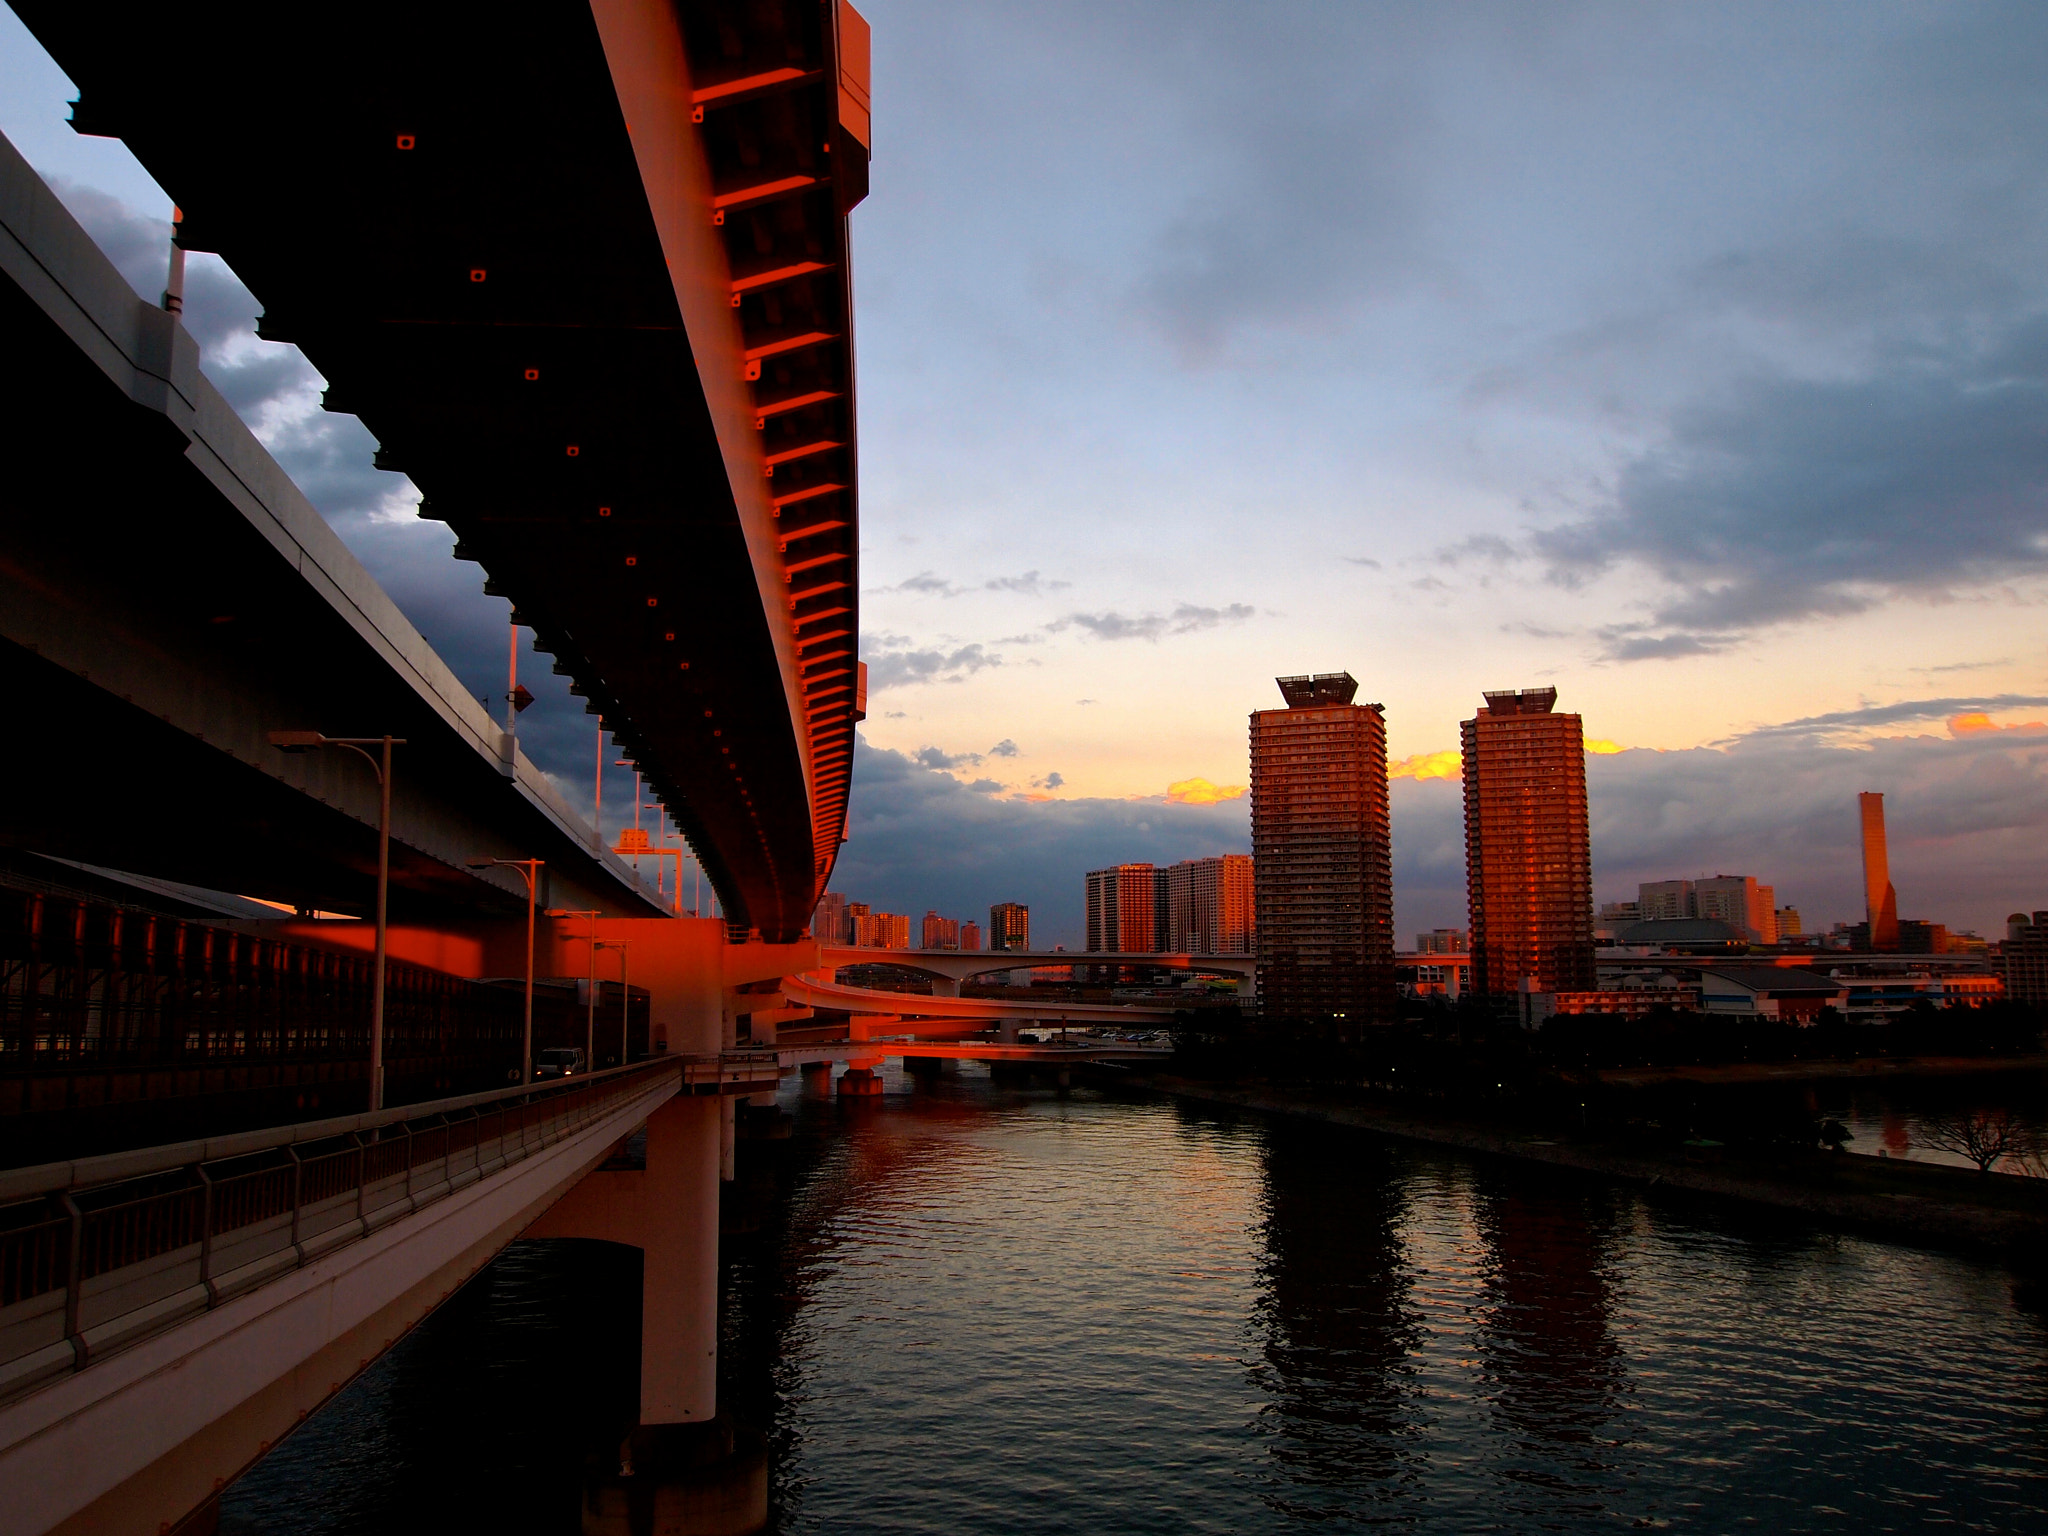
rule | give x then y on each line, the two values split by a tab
1967	824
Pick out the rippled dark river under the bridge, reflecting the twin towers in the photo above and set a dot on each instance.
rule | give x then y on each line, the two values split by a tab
980	1308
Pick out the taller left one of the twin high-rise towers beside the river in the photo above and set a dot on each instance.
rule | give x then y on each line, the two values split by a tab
1322	855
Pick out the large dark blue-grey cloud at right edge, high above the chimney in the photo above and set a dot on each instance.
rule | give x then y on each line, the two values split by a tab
1801	499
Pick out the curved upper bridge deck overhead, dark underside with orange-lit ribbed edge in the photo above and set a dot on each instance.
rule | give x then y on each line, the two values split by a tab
583	271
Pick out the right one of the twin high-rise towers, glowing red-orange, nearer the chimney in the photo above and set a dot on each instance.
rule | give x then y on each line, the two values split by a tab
1529	861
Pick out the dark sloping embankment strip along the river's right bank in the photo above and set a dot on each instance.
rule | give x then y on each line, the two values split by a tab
1926	1203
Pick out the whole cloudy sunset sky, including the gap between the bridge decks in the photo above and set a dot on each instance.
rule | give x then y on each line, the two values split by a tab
1691	359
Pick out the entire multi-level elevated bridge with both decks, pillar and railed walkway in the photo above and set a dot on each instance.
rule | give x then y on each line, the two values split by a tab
583	271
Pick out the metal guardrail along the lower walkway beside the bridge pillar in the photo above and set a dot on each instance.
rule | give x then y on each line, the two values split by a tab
103	1252
